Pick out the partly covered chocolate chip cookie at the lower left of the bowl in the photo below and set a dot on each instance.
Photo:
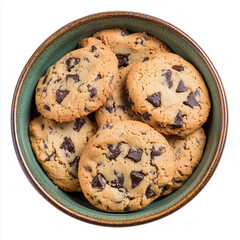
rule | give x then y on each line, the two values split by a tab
58	148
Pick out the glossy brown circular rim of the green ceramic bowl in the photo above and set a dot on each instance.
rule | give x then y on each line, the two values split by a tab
163	24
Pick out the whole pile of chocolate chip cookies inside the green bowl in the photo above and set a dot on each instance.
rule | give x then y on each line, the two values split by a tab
120	120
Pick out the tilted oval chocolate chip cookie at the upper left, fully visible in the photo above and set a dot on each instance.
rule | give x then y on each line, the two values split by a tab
79	83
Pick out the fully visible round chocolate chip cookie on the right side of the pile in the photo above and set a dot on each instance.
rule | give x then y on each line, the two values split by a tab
169	94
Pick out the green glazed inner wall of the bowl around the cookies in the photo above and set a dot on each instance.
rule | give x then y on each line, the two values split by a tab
68	41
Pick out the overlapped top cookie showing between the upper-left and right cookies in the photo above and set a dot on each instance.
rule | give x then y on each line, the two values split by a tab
129	49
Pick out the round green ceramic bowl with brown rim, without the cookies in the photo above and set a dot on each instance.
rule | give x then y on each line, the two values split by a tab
65	40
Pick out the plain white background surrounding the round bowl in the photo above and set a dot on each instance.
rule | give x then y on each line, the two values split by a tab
213	213
